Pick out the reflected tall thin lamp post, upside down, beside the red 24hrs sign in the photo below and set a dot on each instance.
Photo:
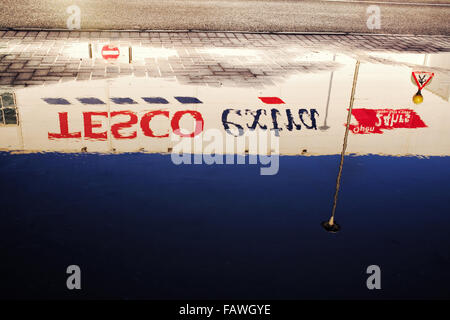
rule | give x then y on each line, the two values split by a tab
331	225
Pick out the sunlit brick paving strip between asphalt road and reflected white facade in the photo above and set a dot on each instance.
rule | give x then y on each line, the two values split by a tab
200	58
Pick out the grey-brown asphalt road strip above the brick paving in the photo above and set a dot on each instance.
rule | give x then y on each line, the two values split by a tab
401	16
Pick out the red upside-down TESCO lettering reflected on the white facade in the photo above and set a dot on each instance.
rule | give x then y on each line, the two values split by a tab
90	120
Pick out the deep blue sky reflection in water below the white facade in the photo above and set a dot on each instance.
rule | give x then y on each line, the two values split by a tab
141	227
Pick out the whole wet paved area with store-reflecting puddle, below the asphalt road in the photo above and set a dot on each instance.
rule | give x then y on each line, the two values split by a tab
201	165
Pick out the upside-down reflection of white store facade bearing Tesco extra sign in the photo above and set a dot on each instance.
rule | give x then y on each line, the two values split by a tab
307	112
